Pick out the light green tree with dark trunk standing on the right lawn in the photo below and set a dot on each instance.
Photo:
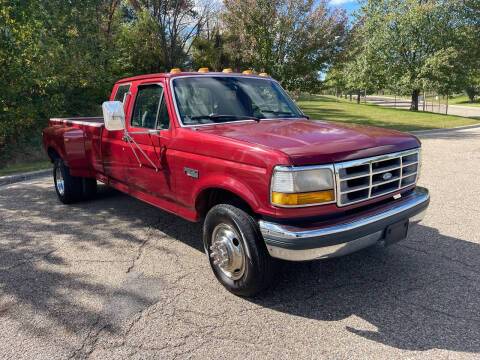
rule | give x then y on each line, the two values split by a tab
400	38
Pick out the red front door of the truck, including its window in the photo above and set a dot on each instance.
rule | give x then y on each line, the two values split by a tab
150	129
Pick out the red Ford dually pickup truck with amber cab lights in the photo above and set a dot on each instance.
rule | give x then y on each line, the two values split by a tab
234	151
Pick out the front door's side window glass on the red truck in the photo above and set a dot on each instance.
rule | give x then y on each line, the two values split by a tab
147	106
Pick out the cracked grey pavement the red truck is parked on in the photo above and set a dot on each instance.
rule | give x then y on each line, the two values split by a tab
115	278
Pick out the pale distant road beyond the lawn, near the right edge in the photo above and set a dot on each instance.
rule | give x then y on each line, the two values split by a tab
459	110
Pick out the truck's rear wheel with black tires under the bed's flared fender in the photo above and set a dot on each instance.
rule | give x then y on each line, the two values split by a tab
72	189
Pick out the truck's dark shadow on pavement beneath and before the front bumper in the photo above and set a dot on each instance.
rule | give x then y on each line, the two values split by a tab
417	295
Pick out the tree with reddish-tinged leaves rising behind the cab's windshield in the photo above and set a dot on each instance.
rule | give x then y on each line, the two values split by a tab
294	40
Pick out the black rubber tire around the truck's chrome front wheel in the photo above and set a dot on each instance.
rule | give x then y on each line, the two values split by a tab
258	269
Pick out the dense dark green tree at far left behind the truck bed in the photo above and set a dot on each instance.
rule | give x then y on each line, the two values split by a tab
55	61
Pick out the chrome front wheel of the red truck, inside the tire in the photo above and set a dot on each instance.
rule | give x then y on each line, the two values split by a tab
227	251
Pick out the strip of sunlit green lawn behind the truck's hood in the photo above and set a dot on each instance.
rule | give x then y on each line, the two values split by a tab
329	108
